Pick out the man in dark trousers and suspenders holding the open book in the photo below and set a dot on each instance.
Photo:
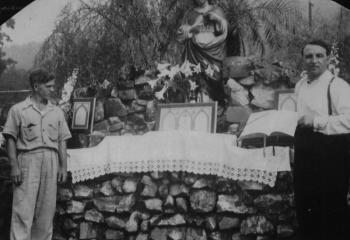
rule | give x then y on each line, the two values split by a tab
321	170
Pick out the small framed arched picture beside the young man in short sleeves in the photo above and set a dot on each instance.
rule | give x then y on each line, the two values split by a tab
83	114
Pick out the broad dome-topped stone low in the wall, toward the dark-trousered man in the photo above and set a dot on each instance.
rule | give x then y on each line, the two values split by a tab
256	225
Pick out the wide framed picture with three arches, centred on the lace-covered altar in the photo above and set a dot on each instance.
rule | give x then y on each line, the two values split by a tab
187	117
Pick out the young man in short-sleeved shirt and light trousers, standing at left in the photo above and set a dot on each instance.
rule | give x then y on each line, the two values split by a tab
36	133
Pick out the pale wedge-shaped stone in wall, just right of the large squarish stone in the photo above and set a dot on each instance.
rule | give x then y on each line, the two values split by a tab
228	203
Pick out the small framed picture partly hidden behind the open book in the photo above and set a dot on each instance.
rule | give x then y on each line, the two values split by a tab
285	100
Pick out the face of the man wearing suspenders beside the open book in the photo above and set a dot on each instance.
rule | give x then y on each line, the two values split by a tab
315	60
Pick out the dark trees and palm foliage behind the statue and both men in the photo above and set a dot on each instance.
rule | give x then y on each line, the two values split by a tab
111	40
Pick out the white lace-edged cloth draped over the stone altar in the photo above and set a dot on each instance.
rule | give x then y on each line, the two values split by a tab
194	152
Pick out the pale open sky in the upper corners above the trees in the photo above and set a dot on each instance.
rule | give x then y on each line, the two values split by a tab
37	20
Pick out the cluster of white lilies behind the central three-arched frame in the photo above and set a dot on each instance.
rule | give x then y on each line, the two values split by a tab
187	80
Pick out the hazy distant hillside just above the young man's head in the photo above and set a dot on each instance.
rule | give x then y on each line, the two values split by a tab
23	54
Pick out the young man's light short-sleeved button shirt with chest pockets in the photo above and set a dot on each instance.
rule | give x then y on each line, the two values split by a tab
33	129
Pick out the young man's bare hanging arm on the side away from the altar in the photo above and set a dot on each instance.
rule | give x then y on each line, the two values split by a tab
15	168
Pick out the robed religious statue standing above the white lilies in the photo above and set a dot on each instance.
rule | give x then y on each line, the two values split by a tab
204	32
